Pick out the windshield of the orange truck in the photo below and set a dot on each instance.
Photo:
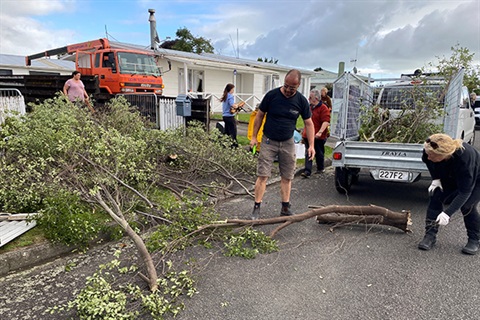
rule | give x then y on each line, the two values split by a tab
135	63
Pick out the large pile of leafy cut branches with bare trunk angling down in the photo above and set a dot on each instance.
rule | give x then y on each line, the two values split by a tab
115	163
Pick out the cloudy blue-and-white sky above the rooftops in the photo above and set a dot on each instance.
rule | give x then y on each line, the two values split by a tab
376	36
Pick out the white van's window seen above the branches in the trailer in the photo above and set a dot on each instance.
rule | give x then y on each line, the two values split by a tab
399	97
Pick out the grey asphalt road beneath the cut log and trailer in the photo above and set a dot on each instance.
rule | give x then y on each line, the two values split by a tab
350	272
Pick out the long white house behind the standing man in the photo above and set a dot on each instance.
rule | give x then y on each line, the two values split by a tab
206	75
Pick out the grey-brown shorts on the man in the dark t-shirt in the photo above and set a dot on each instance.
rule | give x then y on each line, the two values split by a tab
287	158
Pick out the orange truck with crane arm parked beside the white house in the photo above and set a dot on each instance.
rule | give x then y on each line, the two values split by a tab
120	68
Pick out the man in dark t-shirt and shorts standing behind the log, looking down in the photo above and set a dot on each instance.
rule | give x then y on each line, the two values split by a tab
281	107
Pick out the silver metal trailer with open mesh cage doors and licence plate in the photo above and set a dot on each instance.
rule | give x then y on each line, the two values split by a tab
386	161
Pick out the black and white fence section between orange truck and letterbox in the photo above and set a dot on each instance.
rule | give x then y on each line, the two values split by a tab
159	110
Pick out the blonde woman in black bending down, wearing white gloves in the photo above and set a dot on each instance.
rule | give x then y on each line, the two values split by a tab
454	168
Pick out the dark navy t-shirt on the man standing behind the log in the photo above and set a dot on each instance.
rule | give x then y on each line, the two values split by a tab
282	114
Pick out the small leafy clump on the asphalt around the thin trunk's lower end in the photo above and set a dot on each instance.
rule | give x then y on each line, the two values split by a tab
106	296
